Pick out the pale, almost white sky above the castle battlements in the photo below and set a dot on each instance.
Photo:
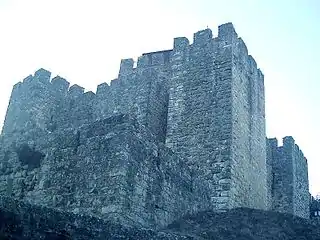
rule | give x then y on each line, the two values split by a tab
84	40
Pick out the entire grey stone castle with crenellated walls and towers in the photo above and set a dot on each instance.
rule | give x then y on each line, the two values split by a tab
182	131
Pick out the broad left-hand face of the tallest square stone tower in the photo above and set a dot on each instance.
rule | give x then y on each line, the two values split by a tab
199	122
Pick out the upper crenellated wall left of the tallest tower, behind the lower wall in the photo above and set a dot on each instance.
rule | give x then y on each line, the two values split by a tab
48	105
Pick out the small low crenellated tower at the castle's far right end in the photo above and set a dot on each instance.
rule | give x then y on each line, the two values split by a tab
289	178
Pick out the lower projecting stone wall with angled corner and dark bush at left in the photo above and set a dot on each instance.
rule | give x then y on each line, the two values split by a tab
112	169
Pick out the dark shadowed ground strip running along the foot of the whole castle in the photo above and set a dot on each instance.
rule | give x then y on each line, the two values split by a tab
21	221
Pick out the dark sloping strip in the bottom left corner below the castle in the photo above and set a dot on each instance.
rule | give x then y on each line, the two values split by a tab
21	221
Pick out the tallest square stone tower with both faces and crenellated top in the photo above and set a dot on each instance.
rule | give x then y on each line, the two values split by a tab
216	117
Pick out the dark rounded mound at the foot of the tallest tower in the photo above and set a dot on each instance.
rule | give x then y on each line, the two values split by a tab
246	224
